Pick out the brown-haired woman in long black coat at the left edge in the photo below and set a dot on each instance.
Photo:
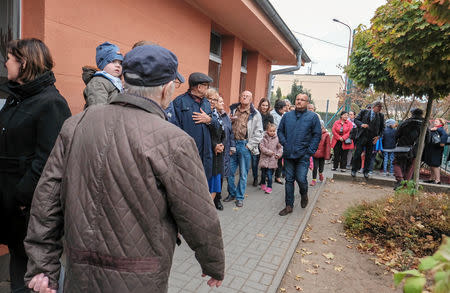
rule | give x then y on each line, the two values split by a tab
29	124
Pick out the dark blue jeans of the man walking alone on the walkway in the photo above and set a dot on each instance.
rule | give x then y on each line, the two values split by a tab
296	170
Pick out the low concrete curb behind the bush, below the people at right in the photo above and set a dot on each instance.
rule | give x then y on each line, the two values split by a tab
427	187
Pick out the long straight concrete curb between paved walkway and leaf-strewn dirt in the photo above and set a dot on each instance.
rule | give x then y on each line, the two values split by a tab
291	250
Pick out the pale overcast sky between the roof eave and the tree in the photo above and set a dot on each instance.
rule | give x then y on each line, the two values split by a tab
315	18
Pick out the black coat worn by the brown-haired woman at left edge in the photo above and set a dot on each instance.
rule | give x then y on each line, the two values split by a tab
29	125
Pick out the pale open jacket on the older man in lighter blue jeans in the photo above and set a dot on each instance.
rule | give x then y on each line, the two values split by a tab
255	130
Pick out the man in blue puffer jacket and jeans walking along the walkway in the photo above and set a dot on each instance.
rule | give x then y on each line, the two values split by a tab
299	132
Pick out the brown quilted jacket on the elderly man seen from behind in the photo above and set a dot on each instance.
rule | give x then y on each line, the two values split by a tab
119	184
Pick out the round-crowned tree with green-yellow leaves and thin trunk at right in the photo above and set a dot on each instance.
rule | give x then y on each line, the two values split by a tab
416	54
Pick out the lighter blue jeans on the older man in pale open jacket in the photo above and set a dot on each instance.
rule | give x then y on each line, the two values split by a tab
242	159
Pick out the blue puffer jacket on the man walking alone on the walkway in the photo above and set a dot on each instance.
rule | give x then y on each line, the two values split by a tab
299	133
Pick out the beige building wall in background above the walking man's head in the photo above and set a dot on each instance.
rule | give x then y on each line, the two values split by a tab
322	88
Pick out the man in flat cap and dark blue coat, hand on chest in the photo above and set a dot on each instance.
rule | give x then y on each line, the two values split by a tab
191	112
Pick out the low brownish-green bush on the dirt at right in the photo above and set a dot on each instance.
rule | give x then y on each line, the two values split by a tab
400	228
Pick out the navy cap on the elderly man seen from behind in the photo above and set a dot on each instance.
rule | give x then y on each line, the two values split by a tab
150	65
